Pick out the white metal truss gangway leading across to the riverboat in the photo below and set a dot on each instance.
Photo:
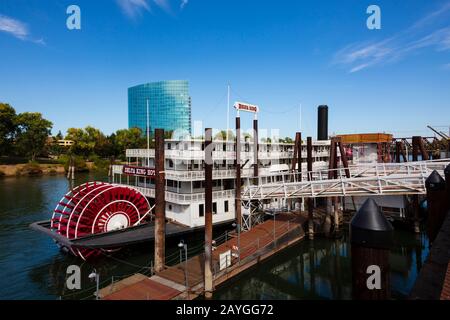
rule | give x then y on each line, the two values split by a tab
364	180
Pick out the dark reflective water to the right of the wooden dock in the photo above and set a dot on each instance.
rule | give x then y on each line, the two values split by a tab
321	269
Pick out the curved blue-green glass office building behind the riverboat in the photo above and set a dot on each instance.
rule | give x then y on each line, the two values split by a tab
169	106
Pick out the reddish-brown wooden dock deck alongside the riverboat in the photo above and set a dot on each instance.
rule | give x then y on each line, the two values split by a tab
185	280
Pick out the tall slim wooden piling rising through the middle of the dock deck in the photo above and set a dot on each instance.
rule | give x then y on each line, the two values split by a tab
208	281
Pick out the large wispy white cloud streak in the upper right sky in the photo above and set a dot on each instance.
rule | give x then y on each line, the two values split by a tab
425	33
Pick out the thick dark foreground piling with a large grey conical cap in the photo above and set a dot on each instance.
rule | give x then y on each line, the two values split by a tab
371	237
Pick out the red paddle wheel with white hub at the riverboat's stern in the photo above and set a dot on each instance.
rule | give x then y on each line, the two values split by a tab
97	207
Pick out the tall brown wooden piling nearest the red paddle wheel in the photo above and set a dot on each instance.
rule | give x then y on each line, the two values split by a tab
160	203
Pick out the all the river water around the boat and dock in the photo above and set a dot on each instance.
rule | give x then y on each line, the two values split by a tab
32	267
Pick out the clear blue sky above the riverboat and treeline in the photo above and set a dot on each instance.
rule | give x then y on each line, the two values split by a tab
277	54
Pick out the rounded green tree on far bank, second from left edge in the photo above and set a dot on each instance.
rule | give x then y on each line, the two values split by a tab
32	134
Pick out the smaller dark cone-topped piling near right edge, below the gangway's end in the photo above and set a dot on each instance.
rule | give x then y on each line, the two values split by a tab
437	204
